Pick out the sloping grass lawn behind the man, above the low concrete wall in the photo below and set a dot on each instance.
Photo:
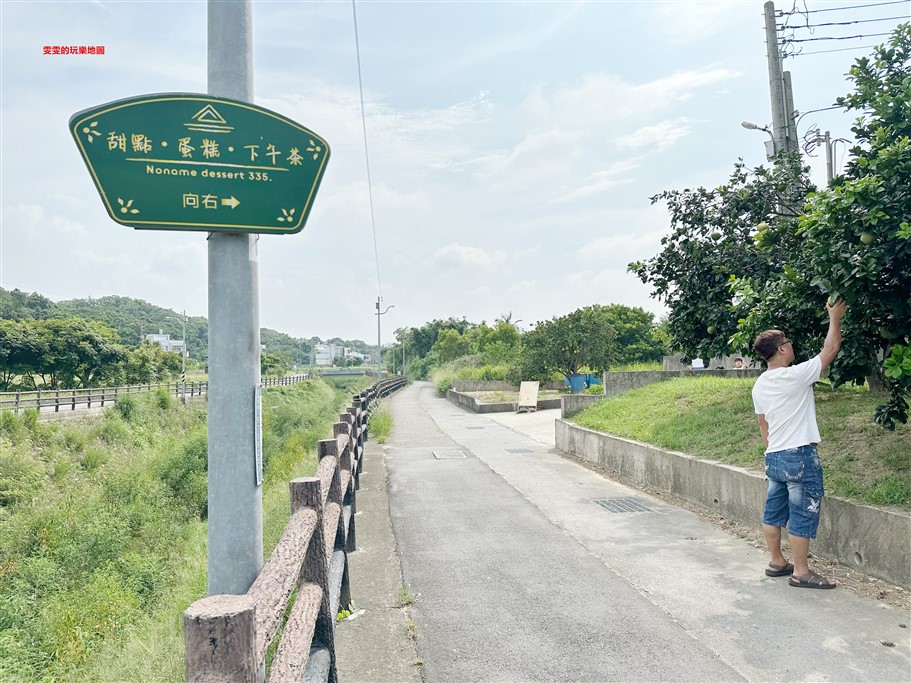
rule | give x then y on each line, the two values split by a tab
712	417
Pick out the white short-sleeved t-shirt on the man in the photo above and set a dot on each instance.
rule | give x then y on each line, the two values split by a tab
785	397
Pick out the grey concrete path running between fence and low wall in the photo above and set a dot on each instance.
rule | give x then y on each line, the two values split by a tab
523	576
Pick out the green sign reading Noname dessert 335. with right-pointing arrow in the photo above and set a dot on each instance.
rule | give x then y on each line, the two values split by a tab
178	161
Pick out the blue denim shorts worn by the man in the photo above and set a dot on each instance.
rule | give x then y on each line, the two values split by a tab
795	490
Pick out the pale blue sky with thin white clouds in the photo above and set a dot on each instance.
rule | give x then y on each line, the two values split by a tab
513	146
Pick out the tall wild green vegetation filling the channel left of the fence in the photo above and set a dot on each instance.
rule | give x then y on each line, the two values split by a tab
103	532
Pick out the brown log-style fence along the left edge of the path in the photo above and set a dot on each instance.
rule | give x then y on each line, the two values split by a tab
227	637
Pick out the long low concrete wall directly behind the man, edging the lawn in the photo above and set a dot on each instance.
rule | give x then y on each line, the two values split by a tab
877	541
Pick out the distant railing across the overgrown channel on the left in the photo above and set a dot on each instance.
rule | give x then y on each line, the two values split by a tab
62	400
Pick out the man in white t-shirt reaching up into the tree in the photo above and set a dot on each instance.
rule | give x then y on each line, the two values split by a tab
786	410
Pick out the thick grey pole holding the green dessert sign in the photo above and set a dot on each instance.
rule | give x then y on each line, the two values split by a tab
235	498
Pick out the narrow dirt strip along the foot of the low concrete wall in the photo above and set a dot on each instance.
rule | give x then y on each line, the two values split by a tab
848	578
